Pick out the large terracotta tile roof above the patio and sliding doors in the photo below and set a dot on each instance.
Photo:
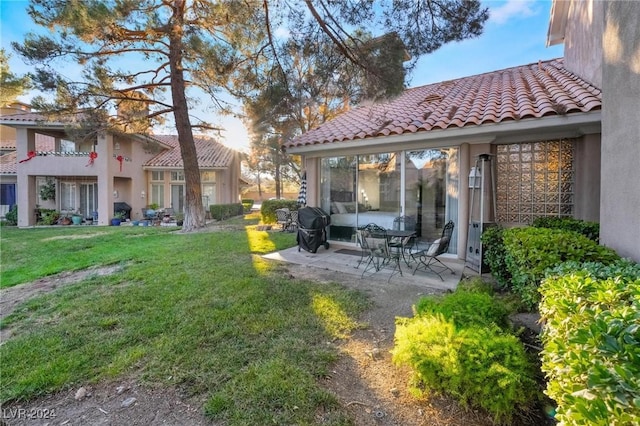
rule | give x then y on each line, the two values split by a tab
536	90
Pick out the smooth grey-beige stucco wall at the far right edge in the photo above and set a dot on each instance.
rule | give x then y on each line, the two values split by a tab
620	194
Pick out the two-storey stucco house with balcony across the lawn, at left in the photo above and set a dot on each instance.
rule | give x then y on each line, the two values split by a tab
109	172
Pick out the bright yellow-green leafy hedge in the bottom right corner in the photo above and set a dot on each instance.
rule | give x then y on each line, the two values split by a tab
592	342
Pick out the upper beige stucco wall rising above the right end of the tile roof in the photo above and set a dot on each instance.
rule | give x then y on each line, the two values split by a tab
583	40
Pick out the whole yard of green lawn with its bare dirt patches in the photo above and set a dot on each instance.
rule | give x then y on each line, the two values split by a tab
198	328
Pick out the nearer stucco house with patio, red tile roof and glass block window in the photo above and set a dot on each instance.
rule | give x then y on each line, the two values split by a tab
554	147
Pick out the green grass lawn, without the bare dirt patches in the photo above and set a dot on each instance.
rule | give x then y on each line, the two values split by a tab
202	312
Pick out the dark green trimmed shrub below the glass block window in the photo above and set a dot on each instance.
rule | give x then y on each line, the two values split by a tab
530	251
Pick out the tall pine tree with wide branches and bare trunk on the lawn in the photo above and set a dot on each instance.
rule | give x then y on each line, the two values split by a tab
166	47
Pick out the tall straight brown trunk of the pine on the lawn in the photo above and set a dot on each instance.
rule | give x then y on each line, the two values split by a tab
194	216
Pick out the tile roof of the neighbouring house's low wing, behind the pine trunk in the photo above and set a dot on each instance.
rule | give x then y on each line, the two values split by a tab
211	154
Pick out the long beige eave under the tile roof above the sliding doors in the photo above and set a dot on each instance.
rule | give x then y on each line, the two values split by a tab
570	125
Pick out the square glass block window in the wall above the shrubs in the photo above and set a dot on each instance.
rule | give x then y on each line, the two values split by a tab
535	179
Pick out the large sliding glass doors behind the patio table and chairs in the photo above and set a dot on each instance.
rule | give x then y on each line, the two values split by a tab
376	188
